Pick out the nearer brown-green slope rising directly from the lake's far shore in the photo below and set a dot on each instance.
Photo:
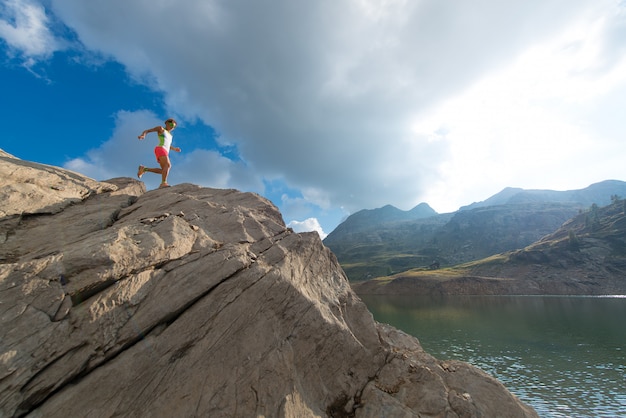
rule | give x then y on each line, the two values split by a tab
585	256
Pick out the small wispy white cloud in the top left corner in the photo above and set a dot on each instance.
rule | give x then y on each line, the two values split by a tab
24	25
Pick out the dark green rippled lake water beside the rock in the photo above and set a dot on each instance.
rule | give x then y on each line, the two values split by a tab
564	356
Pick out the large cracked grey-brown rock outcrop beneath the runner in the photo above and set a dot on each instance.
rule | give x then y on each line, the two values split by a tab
195	302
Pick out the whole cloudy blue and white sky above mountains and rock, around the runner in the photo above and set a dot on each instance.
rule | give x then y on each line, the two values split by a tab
325	107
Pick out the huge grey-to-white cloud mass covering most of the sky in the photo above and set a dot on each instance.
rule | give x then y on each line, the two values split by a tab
337	98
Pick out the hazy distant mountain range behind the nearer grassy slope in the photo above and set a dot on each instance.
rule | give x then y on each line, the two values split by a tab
512	219
